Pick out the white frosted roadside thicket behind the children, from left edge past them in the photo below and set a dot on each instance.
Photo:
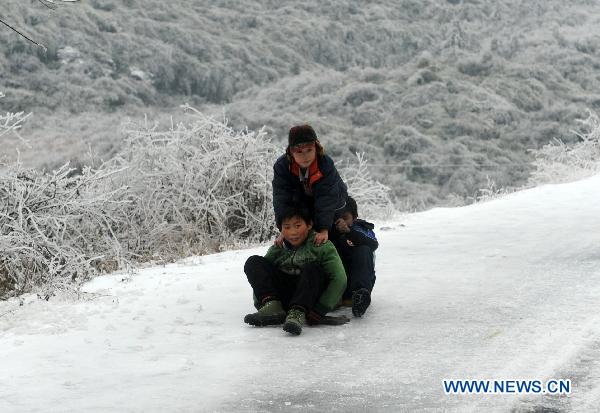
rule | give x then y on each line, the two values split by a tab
194	188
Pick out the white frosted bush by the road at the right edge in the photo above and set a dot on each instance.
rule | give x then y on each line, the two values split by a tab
560	162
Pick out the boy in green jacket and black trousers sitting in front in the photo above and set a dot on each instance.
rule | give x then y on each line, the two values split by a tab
305	280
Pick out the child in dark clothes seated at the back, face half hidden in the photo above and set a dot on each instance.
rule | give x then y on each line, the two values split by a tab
356	243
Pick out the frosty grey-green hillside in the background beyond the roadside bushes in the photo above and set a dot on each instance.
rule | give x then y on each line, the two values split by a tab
446	92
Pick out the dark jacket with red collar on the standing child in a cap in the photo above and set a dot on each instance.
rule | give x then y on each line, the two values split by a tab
325	193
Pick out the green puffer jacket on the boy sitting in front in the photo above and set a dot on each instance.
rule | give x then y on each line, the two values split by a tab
291	261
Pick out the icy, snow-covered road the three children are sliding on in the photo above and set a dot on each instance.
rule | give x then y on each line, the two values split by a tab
508	289
